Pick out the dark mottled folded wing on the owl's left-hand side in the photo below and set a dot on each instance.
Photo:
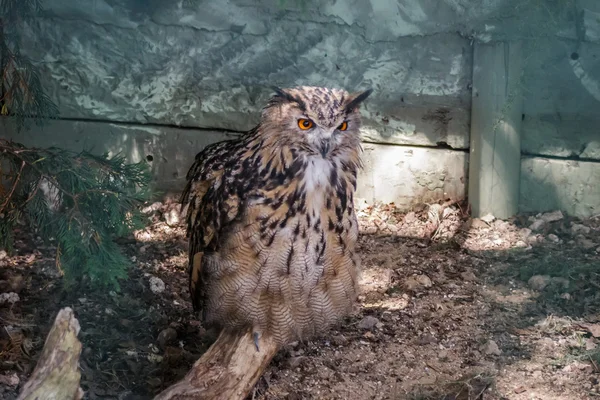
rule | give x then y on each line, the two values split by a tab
211	207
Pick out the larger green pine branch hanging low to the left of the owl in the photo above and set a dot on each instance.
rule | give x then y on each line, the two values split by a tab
82	201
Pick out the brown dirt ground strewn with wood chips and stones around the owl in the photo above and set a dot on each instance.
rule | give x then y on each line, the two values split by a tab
452	308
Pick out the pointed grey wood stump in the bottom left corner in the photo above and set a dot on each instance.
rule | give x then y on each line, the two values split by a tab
56	375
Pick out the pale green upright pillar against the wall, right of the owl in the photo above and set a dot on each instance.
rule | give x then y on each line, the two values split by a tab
496	115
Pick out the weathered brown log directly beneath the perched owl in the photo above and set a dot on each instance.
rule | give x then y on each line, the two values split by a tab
227	371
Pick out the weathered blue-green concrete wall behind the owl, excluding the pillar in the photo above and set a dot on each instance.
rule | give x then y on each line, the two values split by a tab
166	78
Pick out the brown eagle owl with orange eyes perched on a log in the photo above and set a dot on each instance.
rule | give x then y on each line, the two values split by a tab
271	222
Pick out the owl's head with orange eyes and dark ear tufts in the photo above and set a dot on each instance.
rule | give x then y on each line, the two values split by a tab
318	121
